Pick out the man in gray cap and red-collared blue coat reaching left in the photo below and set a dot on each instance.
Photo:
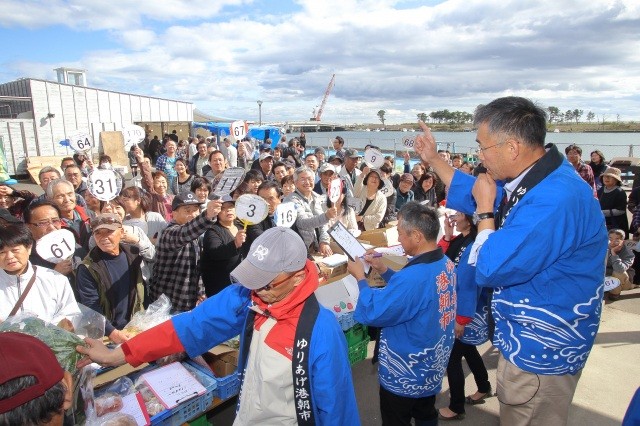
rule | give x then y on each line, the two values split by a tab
293	356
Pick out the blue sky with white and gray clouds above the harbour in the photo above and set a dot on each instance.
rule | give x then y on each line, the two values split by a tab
403	56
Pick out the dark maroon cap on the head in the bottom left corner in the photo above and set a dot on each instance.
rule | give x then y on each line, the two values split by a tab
24	355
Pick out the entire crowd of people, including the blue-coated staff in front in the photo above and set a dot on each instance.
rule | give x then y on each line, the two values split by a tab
166	233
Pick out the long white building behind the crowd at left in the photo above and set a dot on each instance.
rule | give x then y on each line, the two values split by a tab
35	115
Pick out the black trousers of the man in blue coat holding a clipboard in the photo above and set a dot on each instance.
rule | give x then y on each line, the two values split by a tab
399	410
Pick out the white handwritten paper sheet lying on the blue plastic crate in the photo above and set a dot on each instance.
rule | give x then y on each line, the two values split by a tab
173	384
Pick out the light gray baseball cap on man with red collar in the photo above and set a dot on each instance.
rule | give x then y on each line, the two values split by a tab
275	251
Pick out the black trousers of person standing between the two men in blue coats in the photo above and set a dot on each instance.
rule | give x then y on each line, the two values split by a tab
455	375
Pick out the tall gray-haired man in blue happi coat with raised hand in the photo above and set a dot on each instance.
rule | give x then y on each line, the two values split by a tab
546	307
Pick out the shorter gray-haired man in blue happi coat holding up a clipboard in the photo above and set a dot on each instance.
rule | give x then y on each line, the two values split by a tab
417	337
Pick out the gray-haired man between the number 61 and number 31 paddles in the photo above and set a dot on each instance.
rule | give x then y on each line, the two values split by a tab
75	218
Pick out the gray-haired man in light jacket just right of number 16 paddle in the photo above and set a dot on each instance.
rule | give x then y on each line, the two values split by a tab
312	220
